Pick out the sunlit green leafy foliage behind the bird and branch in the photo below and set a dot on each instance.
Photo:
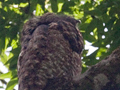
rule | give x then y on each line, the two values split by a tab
100	26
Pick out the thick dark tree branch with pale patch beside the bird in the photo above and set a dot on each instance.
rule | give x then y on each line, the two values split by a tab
105	75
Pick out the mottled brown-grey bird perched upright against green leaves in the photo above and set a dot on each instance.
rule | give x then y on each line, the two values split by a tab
51	47
